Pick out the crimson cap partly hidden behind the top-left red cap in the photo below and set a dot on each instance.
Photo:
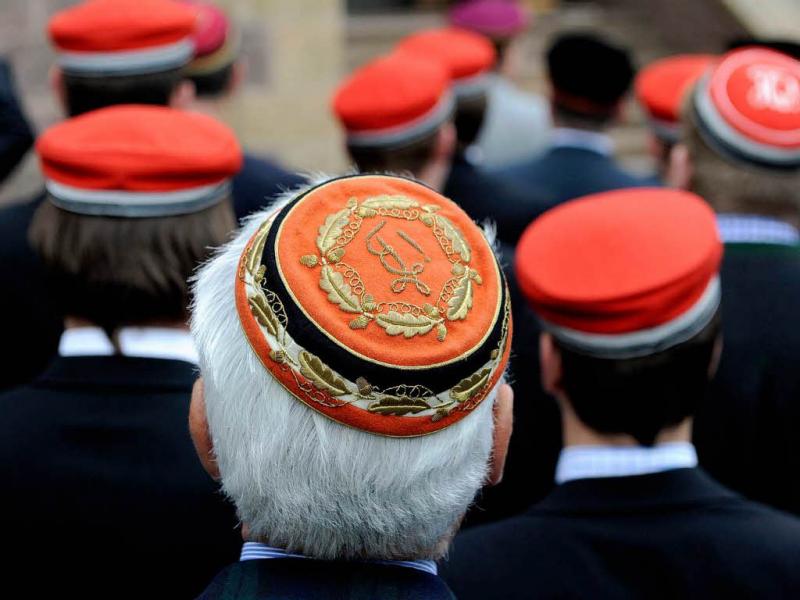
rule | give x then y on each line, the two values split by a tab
215	44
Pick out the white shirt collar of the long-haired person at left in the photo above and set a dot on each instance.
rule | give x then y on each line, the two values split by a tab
141	342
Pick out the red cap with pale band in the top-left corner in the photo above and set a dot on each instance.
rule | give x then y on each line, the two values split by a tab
122	37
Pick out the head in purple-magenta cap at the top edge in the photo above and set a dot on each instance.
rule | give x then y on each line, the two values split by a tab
502	21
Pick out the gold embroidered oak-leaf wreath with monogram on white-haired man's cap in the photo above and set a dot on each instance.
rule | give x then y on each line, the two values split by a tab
345	288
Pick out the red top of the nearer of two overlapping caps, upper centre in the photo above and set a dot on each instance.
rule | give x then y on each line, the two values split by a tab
389	91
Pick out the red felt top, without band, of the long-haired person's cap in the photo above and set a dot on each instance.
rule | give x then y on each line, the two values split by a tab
140	149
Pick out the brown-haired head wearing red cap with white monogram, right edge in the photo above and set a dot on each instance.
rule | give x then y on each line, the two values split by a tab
741	139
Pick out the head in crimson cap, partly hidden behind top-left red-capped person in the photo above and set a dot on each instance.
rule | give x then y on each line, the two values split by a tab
215	69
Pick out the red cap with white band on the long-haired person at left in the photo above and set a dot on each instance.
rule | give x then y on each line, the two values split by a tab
138	161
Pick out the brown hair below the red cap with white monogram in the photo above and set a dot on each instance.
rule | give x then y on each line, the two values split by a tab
737	186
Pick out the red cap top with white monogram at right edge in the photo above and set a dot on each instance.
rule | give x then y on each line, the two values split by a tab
757	92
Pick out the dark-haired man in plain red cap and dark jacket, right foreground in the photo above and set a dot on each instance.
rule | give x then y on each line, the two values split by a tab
627	287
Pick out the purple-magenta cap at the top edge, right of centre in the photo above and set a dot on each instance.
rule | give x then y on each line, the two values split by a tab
496	19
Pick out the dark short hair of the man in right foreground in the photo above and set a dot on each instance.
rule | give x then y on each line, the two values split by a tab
640	396
